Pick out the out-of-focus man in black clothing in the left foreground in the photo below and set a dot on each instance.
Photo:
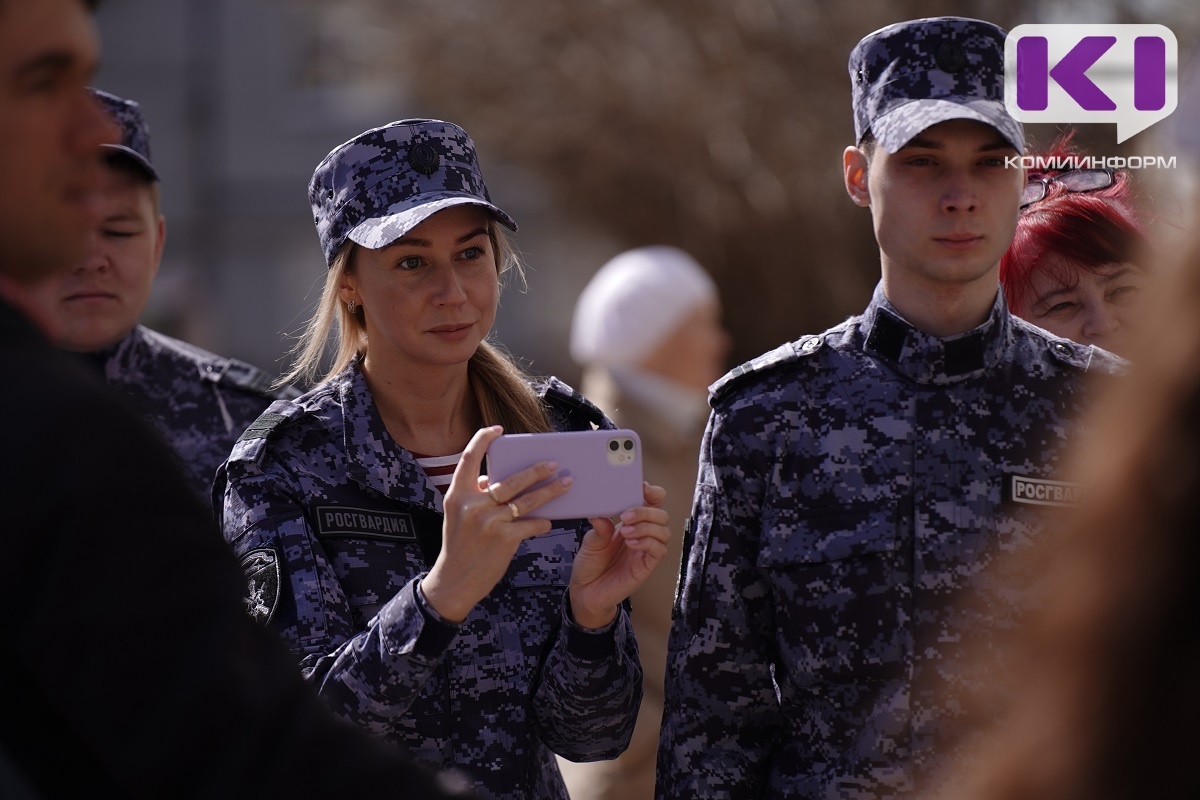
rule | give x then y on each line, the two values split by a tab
131	666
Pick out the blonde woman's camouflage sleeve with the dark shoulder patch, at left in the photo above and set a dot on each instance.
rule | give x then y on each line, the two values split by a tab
369	677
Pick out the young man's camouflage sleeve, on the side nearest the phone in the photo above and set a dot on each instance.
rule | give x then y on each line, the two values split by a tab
722	717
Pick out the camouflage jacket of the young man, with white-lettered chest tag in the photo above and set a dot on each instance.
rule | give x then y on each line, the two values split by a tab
851	494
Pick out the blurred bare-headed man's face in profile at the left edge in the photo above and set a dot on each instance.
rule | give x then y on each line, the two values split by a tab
51	131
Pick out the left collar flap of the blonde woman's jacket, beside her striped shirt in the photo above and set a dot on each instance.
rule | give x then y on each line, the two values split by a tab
377	462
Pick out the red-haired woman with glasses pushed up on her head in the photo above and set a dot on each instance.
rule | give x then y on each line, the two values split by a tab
1079	262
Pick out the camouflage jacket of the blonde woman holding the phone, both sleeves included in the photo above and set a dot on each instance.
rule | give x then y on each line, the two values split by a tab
337	525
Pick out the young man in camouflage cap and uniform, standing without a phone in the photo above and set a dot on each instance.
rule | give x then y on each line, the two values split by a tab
854	485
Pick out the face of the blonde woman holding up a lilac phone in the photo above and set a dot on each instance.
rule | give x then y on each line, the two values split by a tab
430	298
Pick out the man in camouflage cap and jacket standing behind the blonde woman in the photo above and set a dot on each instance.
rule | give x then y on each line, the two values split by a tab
197	401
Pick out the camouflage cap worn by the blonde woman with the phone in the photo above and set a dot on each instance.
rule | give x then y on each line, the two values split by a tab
386	182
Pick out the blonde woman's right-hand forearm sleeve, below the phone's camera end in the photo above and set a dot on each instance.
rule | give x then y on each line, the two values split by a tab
591	690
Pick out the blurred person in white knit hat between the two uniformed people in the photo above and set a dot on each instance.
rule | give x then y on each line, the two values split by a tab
647	332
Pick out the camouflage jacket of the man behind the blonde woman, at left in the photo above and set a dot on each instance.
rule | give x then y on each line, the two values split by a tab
197	401
